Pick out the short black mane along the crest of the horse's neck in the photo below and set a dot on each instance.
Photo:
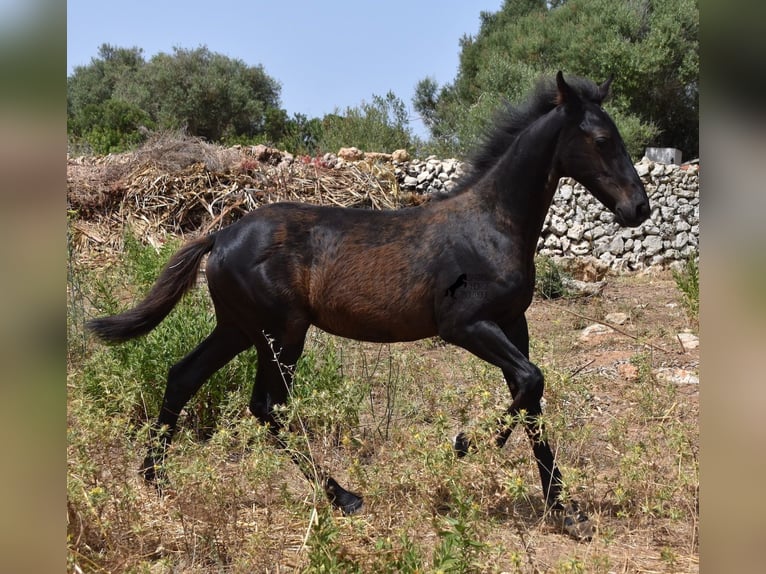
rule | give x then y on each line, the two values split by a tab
509	121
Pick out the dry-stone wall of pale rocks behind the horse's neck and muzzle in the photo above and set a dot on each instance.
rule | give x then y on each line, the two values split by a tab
577	225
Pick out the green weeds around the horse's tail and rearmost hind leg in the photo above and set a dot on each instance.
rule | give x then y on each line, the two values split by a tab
129	379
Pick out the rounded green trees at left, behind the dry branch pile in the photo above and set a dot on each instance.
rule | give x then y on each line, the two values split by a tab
207	94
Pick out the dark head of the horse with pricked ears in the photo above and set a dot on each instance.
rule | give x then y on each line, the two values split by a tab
592	152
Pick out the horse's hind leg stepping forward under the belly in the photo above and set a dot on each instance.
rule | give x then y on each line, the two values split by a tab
276	364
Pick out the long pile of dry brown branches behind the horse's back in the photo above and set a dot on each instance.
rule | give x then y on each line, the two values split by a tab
177	184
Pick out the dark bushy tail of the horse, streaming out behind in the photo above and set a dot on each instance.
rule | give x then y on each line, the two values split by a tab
176	279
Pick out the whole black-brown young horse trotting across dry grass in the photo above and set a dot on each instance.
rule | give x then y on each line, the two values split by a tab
389	276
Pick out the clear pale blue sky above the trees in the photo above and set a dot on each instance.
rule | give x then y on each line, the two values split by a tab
326	55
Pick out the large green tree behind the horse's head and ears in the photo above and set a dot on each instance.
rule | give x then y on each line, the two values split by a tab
650	47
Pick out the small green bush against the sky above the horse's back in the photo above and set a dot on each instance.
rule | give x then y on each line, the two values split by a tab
380	125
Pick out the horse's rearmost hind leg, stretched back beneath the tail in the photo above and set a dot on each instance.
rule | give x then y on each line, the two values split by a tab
184	380
